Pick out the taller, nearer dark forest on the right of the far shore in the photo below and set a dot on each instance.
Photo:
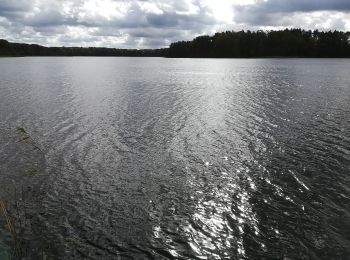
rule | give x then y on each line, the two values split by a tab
284	43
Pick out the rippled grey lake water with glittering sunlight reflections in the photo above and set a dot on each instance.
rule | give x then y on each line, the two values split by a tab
150	158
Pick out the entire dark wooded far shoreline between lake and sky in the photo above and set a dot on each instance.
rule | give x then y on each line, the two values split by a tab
288	43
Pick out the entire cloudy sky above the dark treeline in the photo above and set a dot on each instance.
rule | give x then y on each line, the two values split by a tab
157	23
